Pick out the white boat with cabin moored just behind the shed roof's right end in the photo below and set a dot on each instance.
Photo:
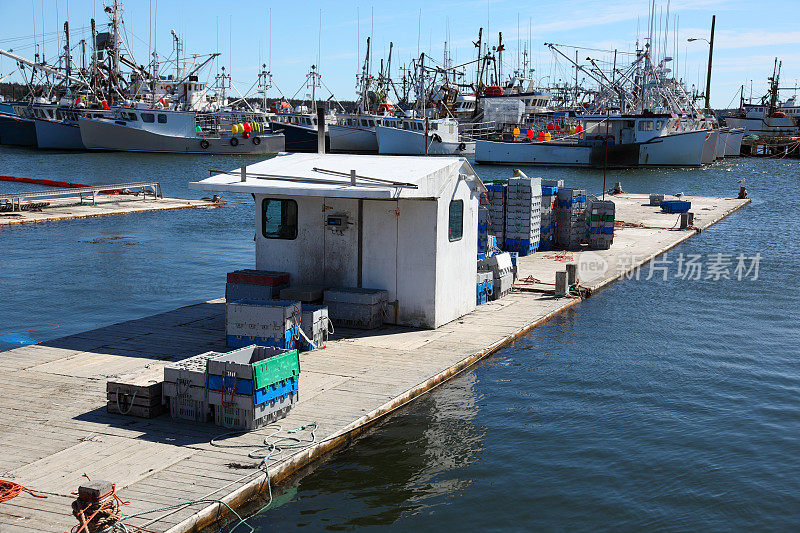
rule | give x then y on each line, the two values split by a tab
419	136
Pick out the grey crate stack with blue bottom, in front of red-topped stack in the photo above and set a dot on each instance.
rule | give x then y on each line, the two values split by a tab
262	322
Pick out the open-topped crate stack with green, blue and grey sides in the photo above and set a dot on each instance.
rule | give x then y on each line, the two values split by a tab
253	386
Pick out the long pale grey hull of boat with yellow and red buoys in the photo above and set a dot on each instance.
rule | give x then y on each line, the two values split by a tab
106	135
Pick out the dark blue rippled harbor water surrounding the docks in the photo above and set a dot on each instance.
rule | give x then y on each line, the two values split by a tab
659	404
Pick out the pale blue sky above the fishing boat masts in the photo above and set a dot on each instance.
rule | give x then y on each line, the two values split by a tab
749	35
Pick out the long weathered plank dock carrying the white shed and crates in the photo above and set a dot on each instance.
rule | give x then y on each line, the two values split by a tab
54	427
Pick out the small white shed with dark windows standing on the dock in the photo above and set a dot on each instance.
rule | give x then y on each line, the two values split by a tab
407	225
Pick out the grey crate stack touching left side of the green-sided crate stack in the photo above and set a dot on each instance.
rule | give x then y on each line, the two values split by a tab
184	388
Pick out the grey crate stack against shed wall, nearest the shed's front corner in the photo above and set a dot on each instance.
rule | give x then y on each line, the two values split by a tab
357	308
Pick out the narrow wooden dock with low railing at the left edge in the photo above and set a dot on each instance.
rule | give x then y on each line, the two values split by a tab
117	204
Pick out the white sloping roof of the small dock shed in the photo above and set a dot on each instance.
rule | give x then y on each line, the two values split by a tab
378	177
